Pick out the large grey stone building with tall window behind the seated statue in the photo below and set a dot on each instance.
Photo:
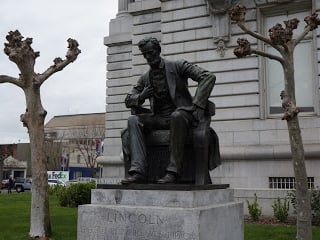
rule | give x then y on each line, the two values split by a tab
254	140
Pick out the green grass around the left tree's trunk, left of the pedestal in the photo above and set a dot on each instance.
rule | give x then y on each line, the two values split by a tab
15	218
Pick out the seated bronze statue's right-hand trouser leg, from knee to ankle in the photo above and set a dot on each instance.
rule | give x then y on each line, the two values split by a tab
180	123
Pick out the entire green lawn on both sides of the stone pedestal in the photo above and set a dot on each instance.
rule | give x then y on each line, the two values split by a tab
15	217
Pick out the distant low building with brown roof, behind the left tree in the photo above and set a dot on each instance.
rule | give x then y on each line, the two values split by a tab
74	142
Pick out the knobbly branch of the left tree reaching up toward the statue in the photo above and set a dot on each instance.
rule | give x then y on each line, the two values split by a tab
60	64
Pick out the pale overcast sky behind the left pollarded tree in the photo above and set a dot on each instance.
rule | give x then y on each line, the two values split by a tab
80	87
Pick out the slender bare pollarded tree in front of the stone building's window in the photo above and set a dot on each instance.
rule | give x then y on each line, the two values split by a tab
280	38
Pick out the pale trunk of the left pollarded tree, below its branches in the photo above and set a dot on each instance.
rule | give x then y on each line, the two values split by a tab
34	119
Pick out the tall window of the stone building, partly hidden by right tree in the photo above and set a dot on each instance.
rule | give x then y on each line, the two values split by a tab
305	78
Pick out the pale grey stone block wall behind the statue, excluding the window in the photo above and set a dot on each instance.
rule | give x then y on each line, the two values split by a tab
254	145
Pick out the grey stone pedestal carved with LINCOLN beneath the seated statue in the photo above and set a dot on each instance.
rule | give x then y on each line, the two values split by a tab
184	212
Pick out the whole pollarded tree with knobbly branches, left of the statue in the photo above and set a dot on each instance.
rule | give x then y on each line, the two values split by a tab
20	52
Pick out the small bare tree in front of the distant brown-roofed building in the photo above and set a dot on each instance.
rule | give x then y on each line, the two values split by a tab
87	141
